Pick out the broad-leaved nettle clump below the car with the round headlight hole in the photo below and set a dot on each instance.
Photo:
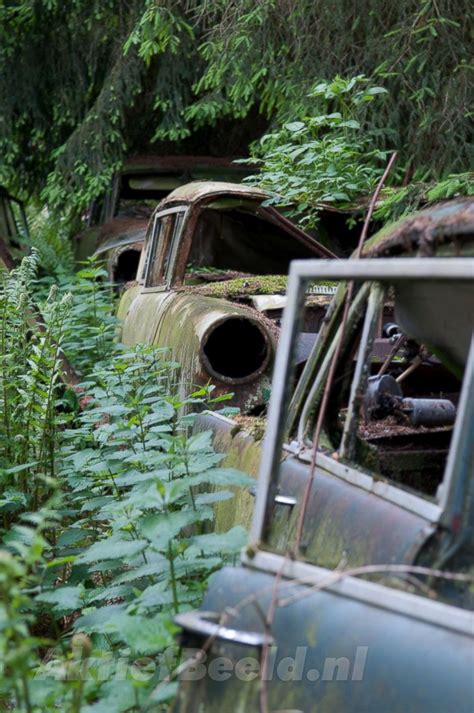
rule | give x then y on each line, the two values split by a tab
137	546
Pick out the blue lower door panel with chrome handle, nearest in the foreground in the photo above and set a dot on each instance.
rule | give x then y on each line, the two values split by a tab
330	652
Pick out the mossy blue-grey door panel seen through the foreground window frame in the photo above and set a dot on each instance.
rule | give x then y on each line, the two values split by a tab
343	522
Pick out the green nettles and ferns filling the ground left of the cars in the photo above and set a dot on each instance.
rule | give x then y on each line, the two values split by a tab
106	499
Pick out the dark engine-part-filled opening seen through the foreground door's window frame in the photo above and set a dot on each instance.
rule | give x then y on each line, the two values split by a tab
405	421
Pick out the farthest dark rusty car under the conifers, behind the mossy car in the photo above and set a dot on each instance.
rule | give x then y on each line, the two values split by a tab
116	225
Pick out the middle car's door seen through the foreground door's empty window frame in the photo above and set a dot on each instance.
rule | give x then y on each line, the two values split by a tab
371	492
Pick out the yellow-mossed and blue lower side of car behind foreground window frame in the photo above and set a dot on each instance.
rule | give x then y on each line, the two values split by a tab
343	522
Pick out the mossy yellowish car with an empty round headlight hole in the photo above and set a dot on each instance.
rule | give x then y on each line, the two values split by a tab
211	286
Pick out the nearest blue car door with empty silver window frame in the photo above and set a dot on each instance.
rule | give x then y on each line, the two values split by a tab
281	633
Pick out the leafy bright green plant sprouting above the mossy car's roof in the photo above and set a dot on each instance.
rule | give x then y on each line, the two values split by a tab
329	157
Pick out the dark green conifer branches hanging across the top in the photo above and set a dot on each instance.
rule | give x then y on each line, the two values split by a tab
85	82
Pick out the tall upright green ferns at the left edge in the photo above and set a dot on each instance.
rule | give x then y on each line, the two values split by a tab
30	381
